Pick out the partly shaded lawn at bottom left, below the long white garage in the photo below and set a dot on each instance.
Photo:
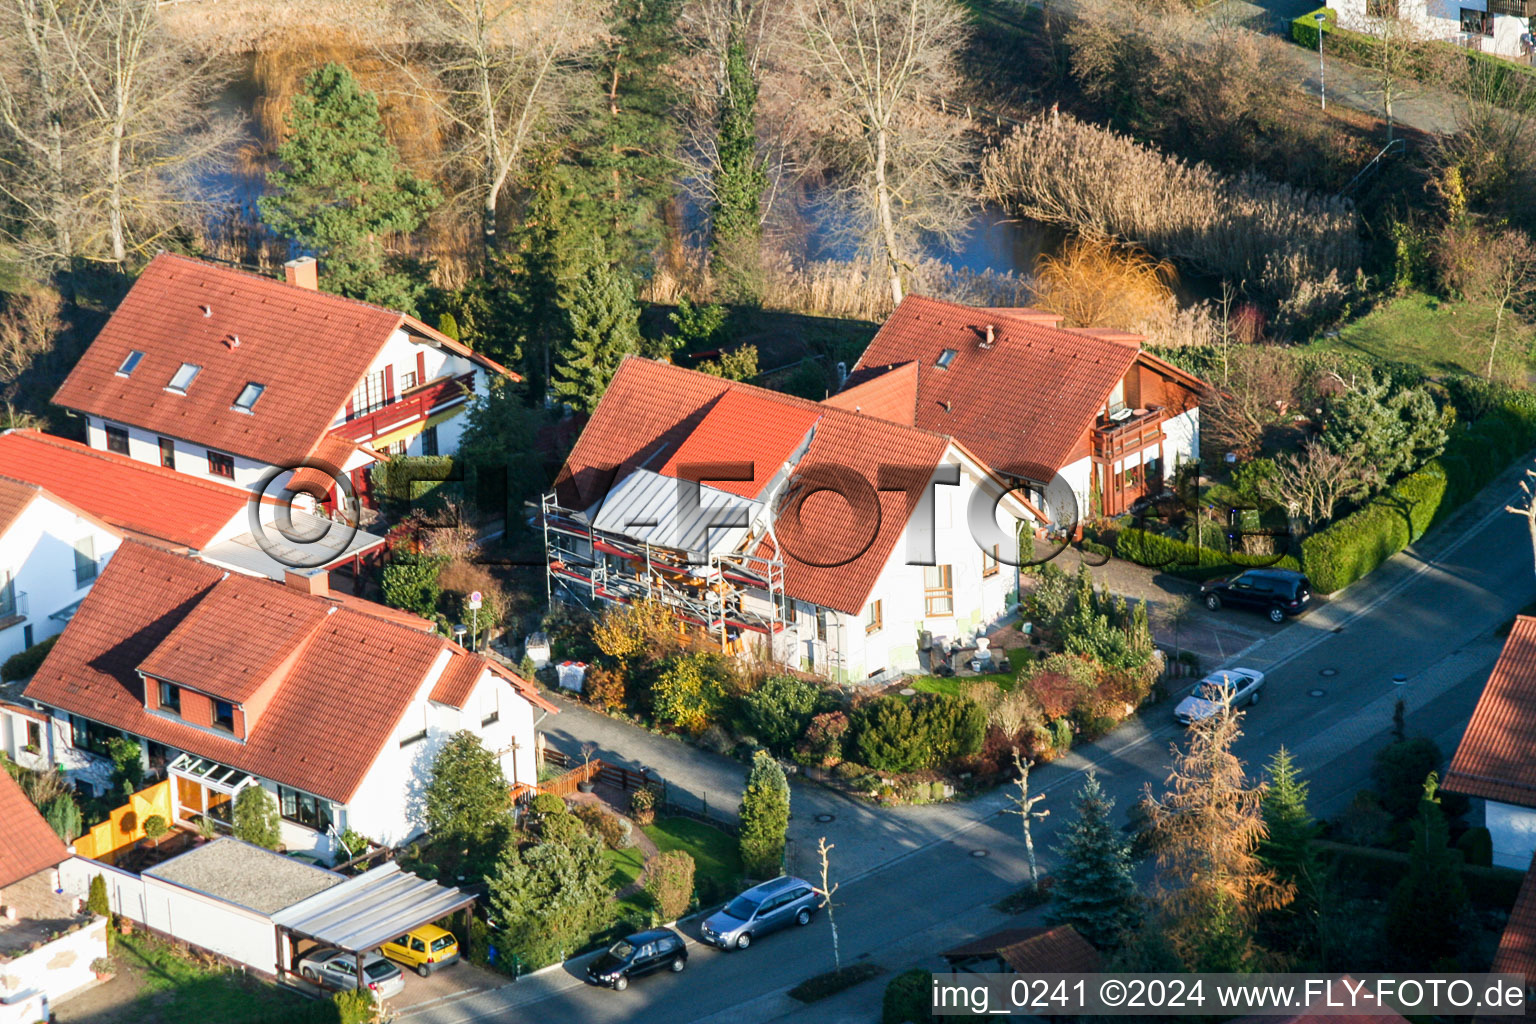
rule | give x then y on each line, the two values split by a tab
176	991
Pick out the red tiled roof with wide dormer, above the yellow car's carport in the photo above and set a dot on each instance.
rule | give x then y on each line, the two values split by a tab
342	689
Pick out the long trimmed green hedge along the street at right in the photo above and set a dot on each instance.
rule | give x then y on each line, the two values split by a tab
1356	546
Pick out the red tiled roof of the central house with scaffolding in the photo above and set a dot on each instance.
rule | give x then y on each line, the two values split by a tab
654	406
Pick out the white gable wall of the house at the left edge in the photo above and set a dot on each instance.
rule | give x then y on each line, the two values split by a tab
39	553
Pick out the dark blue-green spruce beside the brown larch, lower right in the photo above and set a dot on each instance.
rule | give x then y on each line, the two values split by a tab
1094	890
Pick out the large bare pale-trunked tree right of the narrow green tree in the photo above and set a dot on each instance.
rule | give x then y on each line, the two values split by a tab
882	65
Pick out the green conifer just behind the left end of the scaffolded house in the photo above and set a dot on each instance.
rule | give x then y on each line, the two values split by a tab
604	328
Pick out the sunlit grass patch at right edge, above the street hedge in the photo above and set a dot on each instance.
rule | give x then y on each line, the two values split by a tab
1440	337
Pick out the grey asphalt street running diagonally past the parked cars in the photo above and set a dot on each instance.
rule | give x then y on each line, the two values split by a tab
1432	616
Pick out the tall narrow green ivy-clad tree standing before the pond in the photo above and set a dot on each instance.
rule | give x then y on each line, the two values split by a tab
740	183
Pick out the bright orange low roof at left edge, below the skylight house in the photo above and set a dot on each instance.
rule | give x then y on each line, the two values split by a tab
133	497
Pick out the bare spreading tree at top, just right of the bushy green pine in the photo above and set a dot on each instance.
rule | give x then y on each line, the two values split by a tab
500	71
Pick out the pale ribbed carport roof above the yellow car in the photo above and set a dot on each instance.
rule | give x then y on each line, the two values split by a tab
371	910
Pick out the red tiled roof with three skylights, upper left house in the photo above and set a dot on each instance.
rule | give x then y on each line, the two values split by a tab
310	349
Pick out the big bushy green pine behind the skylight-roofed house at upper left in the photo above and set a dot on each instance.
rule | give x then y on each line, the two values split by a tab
342	190
